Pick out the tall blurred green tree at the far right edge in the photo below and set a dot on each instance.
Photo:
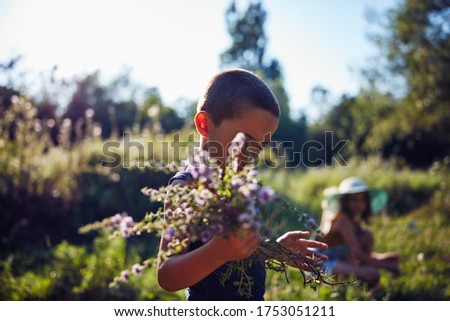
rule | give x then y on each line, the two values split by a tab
416	49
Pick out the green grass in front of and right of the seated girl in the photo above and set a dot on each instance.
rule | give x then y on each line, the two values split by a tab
424	263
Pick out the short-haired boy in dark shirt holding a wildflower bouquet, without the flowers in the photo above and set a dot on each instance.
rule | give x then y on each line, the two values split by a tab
234	101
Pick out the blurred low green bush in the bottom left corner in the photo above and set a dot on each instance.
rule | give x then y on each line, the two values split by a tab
73	273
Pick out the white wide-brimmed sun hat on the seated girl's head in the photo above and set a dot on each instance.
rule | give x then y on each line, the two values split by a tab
352	185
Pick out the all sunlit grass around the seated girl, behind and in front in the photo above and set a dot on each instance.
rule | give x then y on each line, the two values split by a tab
415	225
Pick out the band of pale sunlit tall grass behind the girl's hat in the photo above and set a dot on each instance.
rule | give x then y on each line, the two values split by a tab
407	188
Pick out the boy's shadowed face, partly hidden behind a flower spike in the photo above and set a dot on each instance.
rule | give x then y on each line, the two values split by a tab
257	124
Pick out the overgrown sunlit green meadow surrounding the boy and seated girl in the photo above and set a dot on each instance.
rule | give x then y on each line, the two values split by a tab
48	191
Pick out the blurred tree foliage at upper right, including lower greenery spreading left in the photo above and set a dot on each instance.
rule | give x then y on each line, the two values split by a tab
409	121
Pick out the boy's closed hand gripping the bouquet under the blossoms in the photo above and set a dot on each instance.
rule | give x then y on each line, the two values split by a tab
236	247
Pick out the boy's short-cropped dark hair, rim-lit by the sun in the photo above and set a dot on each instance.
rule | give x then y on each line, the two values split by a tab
231	91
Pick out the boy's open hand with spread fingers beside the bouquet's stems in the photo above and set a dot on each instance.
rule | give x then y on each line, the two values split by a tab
296	242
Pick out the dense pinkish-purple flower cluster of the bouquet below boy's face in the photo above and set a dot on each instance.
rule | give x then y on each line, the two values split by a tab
217	201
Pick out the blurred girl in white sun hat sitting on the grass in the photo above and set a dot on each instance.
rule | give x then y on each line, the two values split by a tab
345	209
